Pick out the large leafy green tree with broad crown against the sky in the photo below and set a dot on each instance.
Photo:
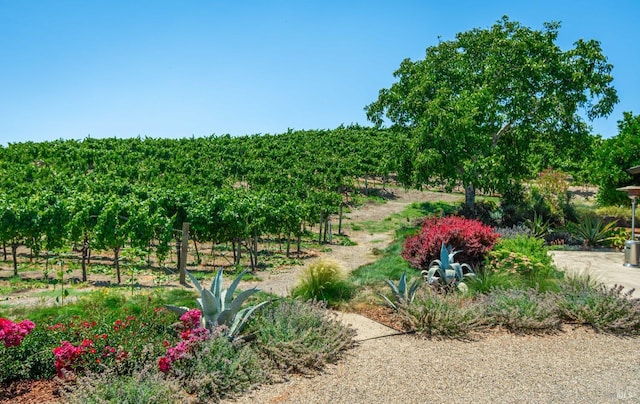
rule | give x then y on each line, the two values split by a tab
477	108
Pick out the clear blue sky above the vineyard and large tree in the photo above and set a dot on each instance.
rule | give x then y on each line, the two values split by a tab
76	68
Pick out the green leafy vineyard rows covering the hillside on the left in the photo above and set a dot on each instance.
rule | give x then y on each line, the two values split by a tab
131	196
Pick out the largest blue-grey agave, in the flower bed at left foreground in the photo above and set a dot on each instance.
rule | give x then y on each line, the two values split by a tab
219	307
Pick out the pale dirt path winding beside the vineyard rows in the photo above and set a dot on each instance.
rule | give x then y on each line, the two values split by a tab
353	257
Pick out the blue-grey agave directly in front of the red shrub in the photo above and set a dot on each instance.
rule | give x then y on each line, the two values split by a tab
445	274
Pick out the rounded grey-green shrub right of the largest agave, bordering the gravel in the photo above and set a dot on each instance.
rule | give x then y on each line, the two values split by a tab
299	337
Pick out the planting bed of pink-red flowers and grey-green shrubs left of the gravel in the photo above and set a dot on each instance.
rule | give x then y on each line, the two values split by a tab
119	358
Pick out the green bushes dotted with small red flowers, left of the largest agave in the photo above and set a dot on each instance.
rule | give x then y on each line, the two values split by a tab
132	325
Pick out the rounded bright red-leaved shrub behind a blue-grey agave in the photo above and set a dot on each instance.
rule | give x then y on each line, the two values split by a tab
472	238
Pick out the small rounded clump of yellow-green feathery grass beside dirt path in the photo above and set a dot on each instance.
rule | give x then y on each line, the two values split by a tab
323	280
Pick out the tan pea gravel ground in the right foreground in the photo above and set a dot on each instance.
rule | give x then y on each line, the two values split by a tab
572	366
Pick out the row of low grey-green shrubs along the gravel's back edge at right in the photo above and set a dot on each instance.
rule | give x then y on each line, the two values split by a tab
578	301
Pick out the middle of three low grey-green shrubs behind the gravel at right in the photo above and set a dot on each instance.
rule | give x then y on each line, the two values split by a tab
521	310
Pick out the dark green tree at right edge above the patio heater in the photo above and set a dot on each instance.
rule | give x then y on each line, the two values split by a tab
613	158
